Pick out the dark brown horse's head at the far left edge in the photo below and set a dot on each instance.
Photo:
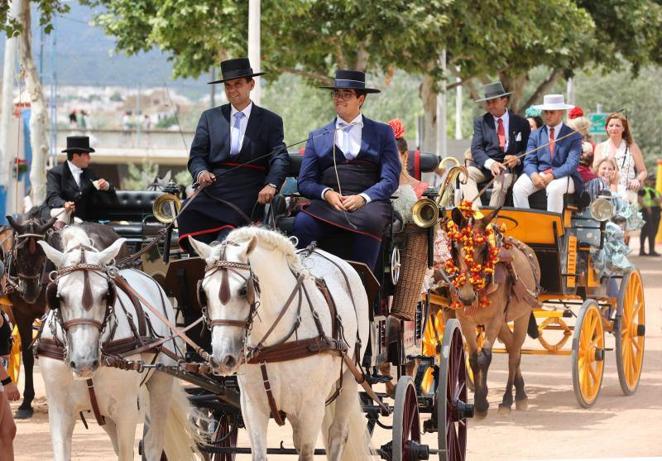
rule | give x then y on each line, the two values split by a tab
30	259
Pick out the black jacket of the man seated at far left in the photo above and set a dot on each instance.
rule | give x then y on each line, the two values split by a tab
61	187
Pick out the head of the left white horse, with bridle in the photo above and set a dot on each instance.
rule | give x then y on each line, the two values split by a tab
82	292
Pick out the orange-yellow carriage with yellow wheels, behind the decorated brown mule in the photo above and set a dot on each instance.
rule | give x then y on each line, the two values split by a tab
578	304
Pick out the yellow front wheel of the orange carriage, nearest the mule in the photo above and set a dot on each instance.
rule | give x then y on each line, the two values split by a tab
588	352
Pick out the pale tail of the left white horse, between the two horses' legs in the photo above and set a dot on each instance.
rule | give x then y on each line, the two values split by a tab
181	438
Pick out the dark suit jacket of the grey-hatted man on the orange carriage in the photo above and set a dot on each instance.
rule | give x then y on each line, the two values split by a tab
485	142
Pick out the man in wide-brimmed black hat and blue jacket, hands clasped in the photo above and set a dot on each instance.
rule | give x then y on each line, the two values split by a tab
350	169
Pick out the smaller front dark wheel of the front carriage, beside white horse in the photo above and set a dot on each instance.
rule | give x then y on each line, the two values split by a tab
406	424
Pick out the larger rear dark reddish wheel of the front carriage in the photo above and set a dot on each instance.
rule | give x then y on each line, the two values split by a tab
452	408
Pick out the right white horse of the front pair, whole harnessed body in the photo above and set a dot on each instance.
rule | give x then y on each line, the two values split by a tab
300	387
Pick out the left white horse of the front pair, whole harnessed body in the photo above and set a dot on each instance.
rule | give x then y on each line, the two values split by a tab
78	325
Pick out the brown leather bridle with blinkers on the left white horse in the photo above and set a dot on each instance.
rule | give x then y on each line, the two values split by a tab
53	297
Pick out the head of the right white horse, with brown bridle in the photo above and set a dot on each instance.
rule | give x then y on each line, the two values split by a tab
231	294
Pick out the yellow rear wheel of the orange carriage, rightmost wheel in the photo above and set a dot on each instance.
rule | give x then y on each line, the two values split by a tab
631	328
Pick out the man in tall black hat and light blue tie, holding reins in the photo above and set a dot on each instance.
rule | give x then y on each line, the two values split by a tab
239	154
